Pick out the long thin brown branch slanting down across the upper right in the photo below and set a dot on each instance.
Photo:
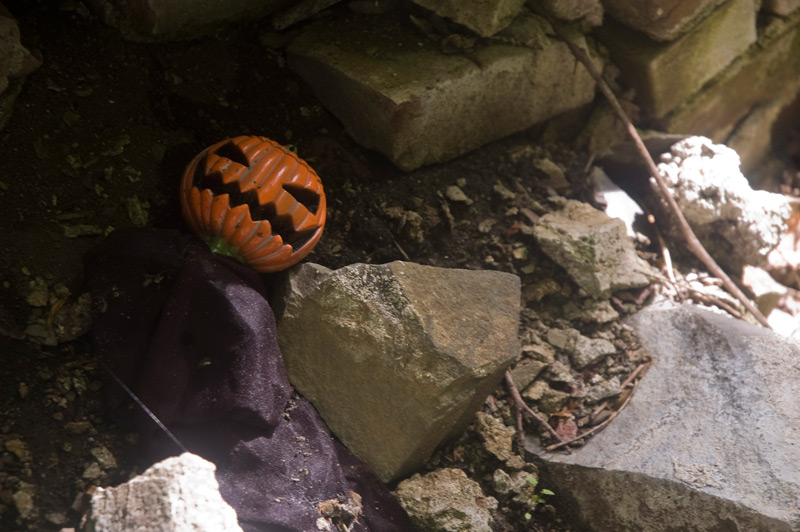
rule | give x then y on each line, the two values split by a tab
692	242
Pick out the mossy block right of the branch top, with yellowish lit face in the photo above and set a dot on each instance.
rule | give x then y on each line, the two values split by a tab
666	74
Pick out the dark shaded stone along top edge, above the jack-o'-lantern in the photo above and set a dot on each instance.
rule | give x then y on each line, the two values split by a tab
178	19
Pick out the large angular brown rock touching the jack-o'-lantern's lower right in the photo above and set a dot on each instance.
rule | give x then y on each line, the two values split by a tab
398	357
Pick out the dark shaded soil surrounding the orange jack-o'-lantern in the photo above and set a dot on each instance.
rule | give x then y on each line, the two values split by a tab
98	140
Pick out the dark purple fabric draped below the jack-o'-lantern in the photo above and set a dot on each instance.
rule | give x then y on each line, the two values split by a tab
193	336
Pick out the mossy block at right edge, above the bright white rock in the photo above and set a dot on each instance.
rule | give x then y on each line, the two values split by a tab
732	108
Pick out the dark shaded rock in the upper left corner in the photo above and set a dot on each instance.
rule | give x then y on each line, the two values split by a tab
15	63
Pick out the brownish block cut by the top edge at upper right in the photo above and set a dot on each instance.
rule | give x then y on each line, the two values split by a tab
661	20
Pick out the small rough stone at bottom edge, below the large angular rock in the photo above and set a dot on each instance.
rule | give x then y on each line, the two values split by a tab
446	500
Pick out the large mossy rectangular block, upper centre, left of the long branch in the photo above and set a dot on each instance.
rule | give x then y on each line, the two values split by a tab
397	92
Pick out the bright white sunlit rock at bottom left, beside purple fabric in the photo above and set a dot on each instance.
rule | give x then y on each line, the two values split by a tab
179	494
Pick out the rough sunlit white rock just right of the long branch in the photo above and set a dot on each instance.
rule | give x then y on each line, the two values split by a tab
736	224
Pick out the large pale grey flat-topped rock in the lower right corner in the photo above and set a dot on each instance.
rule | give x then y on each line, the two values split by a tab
710	441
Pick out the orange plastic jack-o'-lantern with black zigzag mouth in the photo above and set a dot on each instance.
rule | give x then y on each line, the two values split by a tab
253	199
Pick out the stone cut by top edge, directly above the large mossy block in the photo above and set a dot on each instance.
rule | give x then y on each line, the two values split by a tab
484	17
